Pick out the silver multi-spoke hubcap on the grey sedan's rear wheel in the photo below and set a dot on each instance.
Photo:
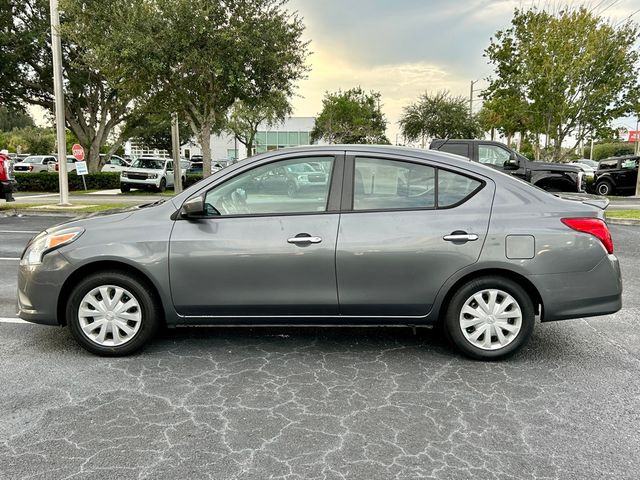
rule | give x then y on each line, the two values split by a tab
490	319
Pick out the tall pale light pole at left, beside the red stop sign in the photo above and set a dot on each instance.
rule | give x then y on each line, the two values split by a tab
56	49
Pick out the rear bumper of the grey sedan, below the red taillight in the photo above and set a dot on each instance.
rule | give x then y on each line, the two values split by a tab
581	294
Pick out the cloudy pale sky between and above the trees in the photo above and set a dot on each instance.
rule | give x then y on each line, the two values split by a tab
402	48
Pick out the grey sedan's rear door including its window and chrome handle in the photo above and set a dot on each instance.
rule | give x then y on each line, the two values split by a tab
406	227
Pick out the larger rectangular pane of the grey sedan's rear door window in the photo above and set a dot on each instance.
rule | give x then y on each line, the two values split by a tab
389	184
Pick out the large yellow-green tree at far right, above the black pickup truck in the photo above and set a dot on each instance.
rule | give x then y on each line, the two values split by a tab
571	73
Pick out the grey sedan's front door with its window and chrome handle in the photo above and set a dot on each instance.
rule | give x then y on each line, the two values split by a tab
261	251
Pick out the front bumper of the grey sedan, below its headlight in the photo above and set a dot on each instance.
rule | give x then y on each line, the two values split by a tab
39	287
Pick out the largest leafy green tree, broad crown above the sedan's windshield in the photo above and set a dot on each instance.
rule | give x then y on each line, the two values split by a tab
199	55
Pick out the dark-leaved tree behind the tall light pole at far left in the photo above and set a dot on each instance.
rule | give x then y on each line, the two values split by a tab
93	107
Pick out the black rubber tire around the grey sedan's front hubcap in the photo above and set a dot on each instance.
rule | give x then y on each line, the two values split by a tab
143	294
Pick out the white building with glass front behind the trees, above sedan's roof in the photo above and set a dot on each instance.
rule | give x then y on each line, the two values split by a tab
292	132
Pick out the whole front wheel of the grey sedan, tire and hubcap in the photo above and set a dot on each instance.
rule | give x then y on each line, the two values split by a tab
112	313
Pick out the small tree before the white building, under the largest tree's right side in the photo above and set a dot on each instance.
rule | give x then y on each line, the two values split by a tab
245	117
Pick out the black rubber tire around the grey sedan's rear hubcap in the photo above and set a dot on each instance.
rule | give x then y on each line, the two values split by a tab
453	329
